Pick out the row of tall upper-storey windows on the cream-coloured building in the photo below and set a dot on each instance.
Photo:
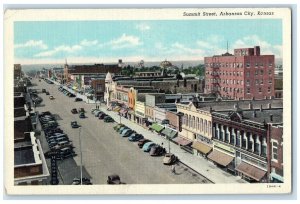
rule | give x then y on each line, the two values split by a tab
197	123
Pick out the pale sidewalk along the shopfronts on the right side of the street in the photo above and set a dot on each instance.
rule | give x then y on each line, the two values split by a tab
197	163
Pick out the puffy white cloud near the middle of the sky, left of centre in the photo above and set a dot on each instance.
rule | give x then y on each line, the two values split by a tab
125	41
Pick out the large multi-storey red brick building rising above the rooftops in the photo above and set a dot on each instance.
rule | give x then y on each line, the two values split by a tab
245	75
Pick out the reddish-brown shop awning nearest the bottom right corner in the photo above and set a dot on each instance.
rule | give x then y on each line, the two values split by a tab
251	171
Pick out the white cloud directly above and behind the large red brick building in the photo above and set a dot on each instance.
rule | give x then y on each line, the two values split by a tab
265	47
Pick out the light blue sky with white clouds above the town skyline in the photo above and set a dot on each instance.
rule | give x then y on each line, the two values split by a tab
43	42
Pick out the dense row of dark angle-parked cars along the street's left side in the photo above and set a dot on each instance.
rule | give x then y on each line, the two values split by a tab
57	140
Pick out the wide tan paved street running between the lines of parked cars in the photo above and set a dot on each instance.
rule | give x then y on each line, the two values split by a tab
105	151
